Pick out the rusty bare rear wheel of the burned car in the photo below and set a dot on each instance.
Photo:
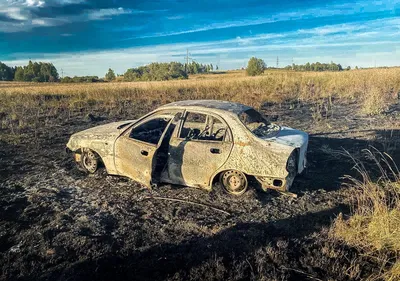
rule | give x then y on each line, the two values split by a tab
234	182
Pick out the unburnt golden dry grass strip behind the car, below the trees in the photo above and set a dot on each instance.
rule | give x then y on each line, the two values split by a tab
27	104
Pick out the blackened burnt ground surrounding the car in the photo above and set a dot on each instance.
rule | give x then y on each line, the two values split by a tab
57	223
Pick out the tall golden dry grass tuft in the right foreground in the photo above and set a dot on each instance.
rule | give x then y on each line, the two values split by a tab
374	226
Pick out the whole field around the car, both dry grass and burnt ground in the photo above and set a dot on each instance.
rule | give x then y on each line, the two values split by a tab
59	224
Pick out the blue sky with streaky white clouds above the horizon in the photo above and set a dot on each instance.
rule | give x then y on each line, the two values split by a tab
86	37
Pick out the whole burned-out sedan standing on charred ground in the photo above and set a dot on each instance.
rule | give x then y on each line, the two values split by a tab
196	143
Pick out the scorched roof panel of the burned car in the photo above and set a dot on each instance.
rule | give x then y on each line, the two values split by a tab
216	104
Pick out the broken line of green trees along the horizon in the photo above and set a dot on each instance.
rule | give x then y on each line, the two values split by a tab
46	72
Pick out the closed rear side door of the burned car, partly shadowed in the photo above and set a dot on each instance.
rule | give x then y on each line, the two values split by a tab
201	145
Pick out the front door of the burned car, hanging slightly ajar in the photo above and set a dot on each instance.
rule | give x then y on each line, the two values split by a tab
135	150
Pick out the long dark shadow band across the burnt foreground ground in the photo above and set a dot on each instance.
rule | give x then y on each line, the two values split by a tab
162	261
